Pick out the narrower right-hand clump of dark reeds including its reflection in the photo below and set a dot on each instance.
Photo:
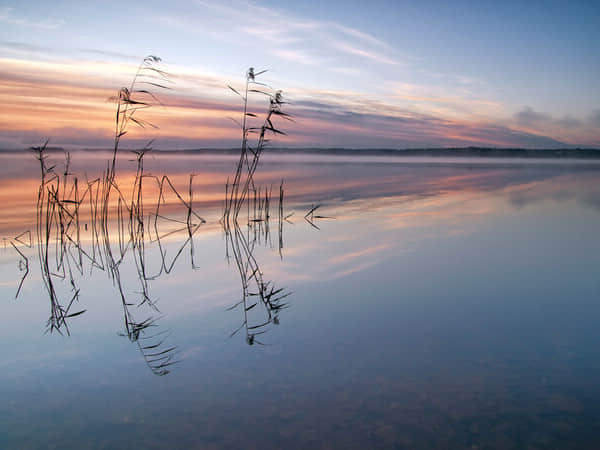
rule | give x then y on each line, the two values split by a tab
243	194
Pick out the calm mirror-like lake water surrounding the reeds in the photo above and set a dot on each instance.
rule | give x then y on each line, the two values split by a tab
438	304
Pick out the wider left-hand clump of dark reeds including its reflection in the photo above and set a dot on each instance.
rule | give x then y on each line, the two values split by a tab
59	235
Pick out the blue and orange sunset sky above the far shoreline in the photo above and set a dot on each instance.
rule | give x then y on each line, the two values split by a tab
355	74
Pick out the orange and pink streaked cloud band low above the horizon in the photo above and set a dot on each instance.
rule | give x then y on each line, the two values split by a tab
68	100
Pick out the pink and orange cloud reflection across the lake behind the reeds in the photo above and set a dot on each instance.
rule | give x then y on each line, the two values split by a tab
428	199
